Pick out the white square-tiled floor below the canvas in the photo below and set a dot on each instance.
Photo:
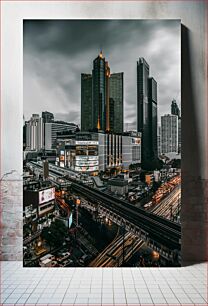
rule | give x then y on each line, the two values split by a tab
91	286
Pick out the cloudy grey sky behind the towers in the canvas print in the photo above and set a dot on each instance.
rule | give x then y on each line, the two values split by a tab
56	52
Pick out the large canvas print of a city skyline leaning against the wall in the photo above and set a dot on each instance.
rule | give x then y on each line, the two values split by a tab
102	143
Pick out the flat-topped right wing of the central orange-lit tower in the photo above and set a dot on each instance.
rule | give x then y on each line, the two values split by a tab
116	94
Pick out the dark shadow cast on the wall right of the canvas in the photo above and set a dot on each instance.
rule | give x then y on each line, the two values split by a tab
193	211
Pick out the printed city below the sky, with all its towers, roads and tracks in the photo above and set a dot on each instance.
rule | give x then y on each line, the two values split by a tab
104	191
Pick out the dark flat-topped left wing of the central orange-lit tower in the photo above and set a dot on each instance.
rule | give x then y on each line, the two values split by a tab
86	102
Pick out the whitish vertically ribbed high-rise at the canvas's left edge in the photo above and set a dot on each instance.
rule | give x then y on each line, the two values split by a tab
34	133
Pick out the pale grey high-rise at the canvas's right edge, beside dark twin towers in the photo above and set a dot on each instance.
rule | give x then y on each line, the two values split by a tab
169	133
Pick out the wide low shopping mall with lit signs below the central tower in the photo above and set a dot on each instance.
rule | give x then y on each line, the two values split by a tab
92	152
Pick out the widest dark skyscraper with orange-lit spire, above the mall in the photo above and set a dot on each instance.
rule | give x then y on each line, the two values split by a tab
101	94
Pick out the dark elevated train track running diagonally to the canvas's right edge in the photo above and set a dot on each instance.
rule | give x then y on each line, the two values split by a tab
157	228
